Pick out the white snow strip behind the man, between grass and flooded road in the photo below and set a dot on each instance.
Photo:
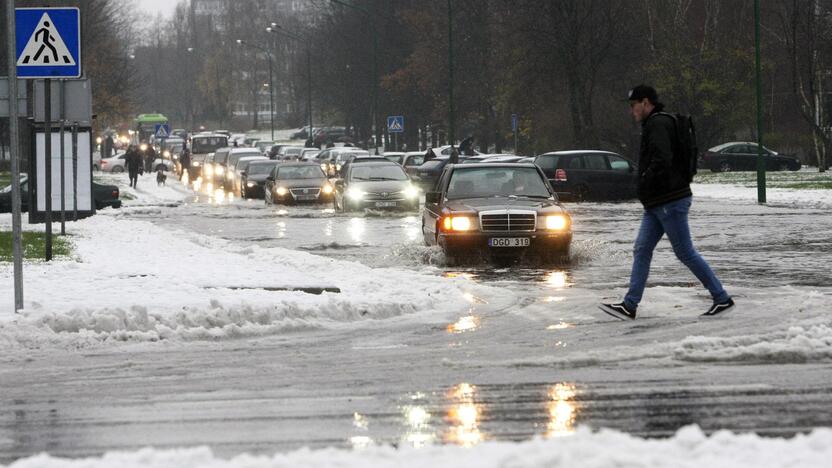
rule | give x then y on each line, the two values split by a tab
774	196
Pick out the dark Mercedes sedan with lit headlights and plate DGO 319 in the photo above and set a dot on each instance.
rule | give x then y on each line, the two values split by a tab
502	210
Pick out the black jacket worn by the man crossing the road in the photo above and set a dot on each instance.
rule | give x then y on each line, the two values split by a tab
659	181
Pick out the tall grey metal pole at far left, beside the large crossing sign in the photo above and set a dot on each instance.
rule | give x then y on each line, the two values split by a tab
14	154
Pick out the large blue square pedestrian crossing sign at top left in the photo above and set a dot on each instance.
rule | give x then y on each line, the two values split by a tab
48	42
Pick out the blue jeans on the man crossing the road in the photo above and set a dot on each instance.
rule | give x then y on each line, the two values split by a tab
671	219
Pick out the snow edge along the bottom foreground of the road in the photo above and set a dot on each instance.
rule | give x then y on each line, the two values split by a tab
689	447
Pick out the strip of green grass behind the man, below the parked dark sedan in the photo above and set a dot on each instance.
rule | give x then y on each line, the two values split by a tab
798	180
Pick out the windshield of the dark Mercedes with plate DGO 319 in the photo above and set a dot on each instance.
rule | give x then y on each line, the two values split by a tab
483	182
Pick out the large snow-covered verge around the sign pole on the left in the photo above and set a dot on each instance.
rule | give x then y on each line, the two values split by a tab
131	280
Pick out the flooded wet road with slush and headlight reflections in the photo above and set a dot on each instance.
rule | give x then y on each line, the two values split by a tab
534	359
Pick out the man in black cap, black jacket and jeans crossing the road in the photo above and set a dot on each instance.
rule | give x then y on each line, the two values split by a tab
664	190
